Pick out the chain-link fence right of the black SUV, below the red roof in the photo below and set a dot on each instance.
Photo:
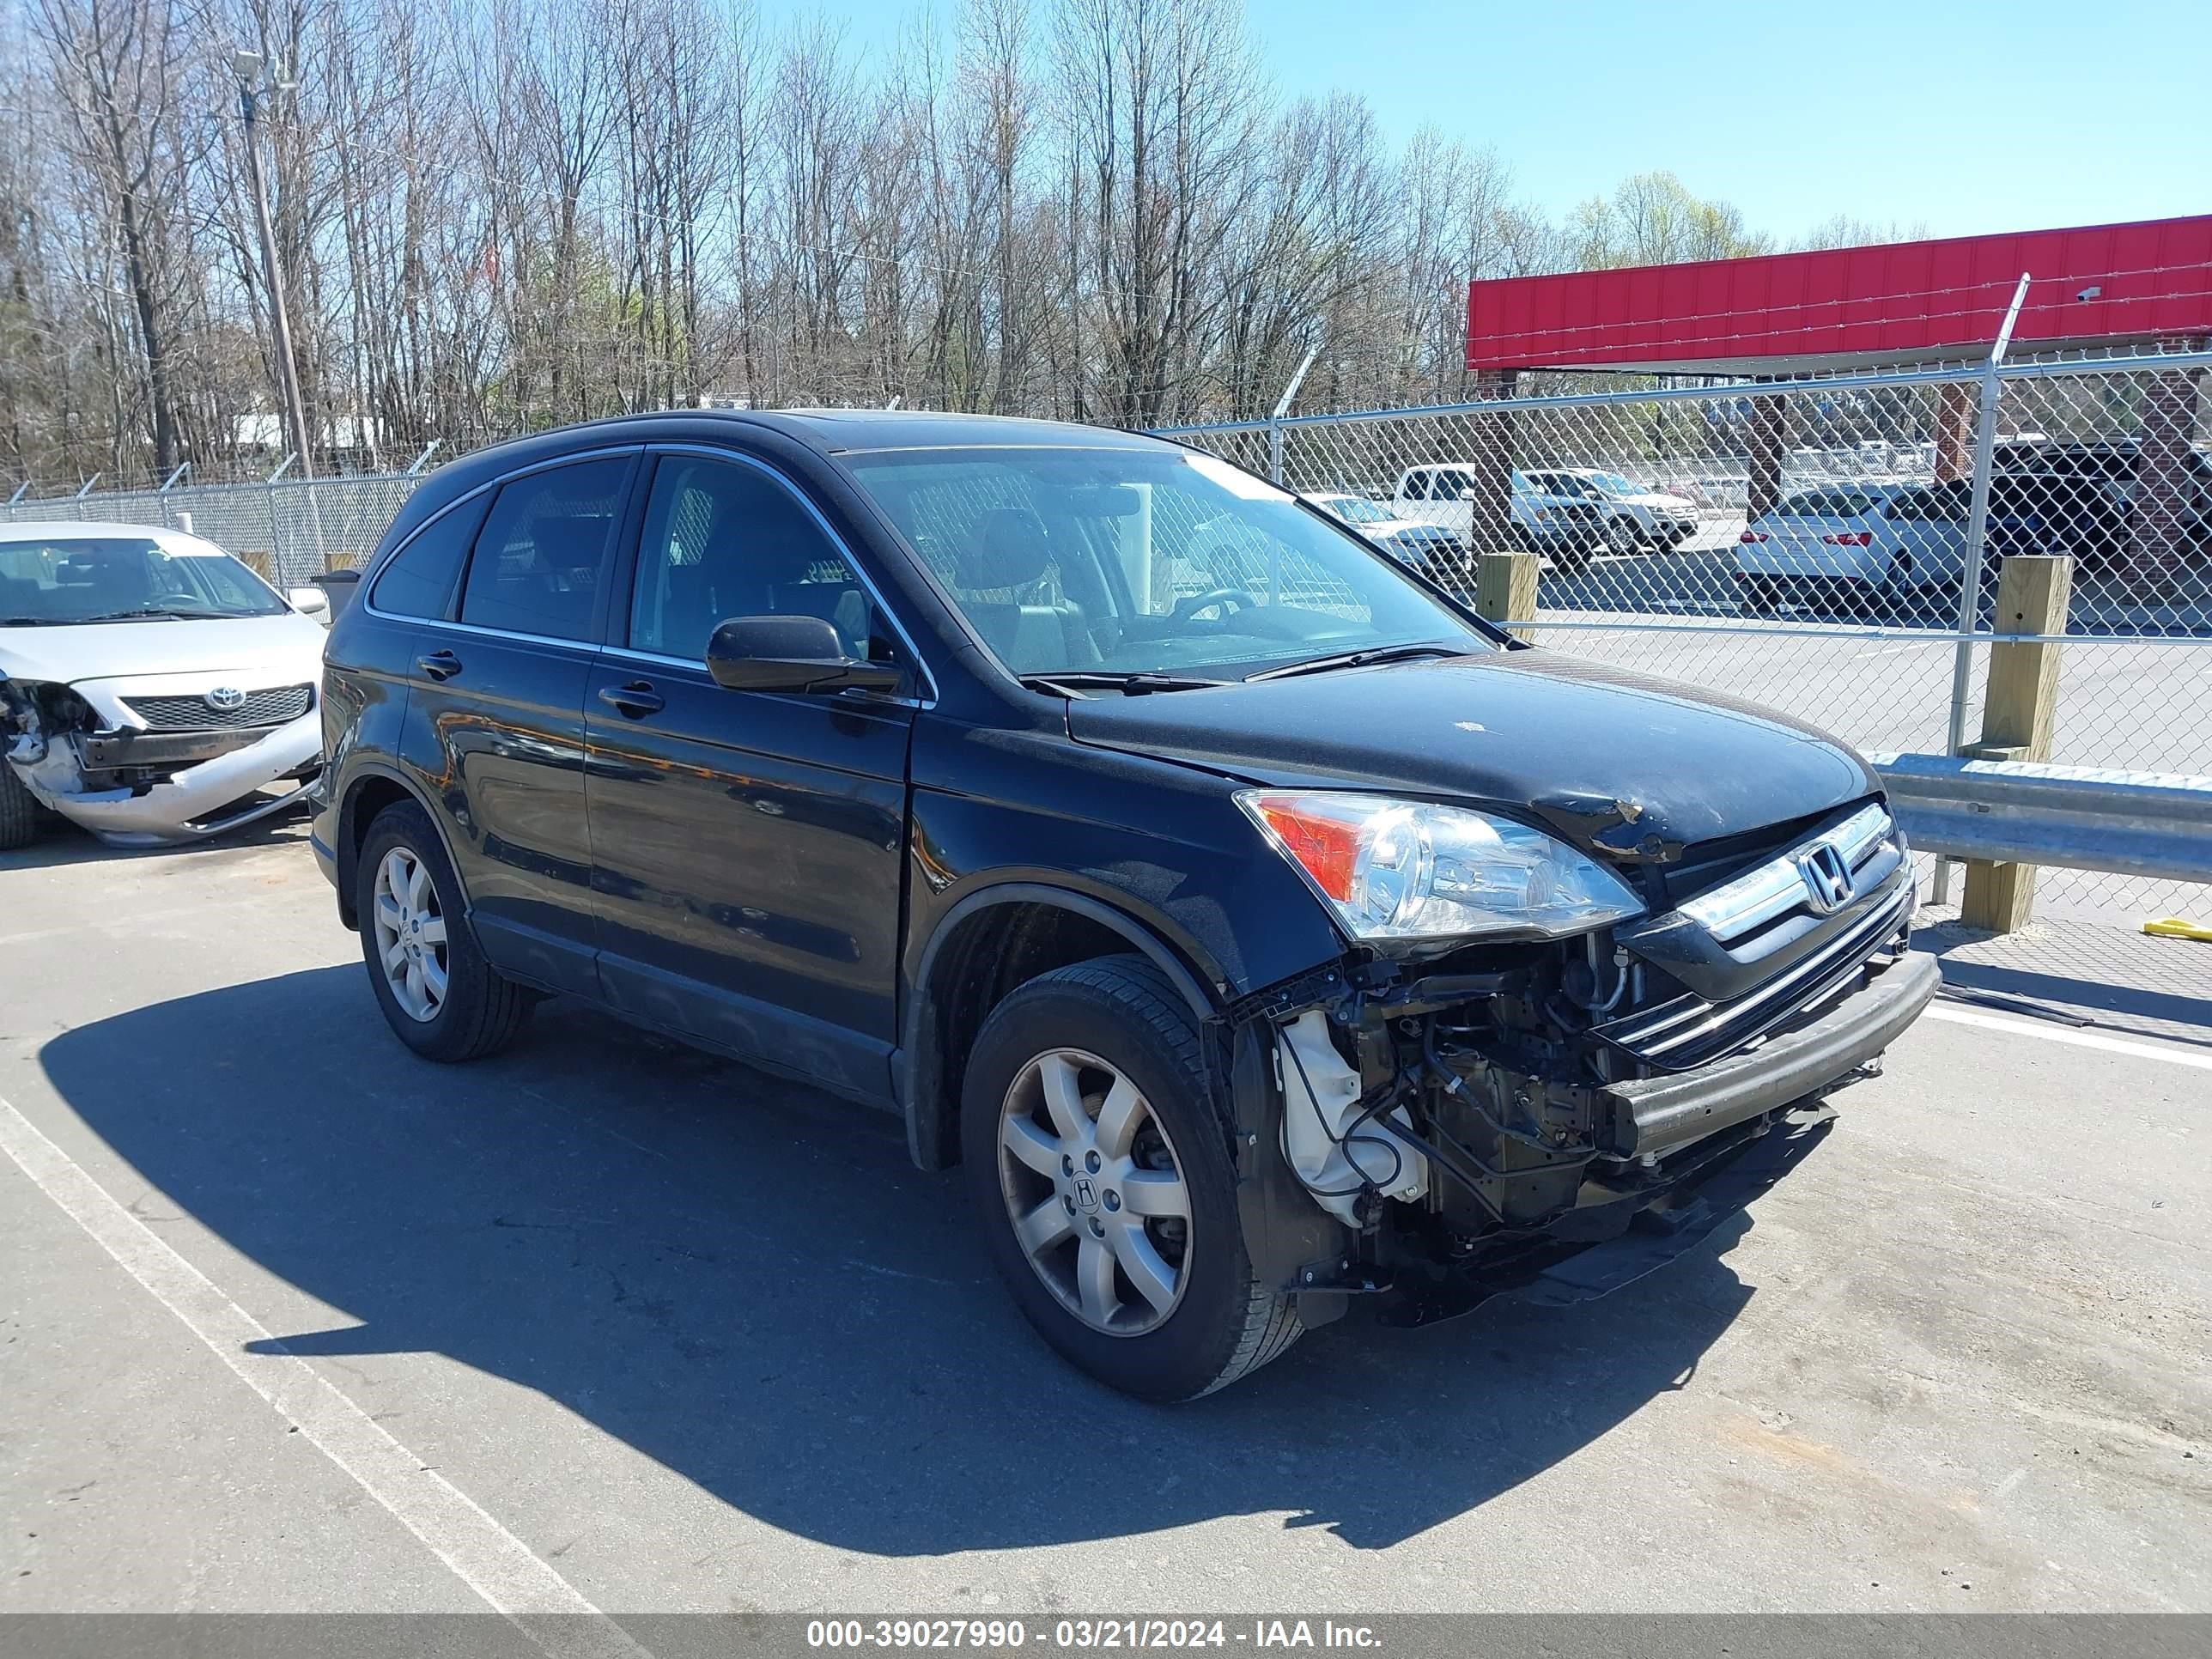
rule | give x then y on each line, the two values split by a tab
1830	547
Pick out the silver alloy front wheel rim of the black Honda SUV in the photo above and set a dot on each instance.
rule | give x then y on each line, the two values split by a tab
1096	1193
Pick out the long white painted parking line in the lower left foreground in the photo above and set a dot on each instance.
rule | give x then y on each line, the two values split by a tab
483	1554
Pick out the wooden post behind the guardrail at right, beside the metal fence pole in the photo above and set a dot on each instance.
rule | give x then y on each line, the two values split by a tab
2018	718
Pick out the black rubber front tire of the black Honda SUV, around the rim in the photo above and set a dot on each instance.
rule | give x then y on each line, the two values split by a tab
1123	1014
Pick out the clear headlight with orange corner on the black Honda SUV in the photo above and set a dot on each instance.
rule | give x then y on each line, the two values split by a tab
1406	870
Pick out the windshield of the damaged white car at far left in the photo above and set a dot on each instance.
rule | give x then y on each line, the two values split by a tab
116	578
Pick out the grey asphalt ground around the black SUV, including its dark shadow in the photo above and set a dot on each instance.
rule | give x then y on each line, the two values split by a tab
293	1322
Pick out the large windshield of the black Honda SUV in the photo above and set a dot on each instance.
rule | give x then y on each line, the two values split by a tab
1147	563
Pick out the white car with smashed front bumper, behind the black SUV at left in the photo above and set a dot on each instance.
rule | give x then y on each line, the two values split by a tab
152	687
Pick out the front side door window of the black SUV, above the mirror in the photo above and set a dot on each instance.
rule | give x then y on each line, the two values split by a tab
727	541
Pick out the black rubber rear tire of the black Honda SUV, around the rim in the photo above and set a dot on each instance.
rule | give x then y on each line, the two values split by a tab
479	1012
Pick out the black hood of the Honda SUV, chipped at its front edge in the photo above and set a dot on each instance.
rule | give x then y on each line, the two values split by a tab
1611	760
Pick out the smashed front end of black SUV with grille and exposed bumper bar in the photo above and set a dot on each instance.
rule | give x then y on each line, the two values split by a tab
1463	1123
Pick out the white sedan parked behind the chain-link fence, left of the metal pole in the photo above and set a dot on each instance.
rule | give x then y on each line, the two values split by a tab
1884	547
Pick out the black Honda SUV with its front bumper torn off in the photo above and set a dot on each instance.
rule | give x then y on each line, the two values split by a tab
1251	924
